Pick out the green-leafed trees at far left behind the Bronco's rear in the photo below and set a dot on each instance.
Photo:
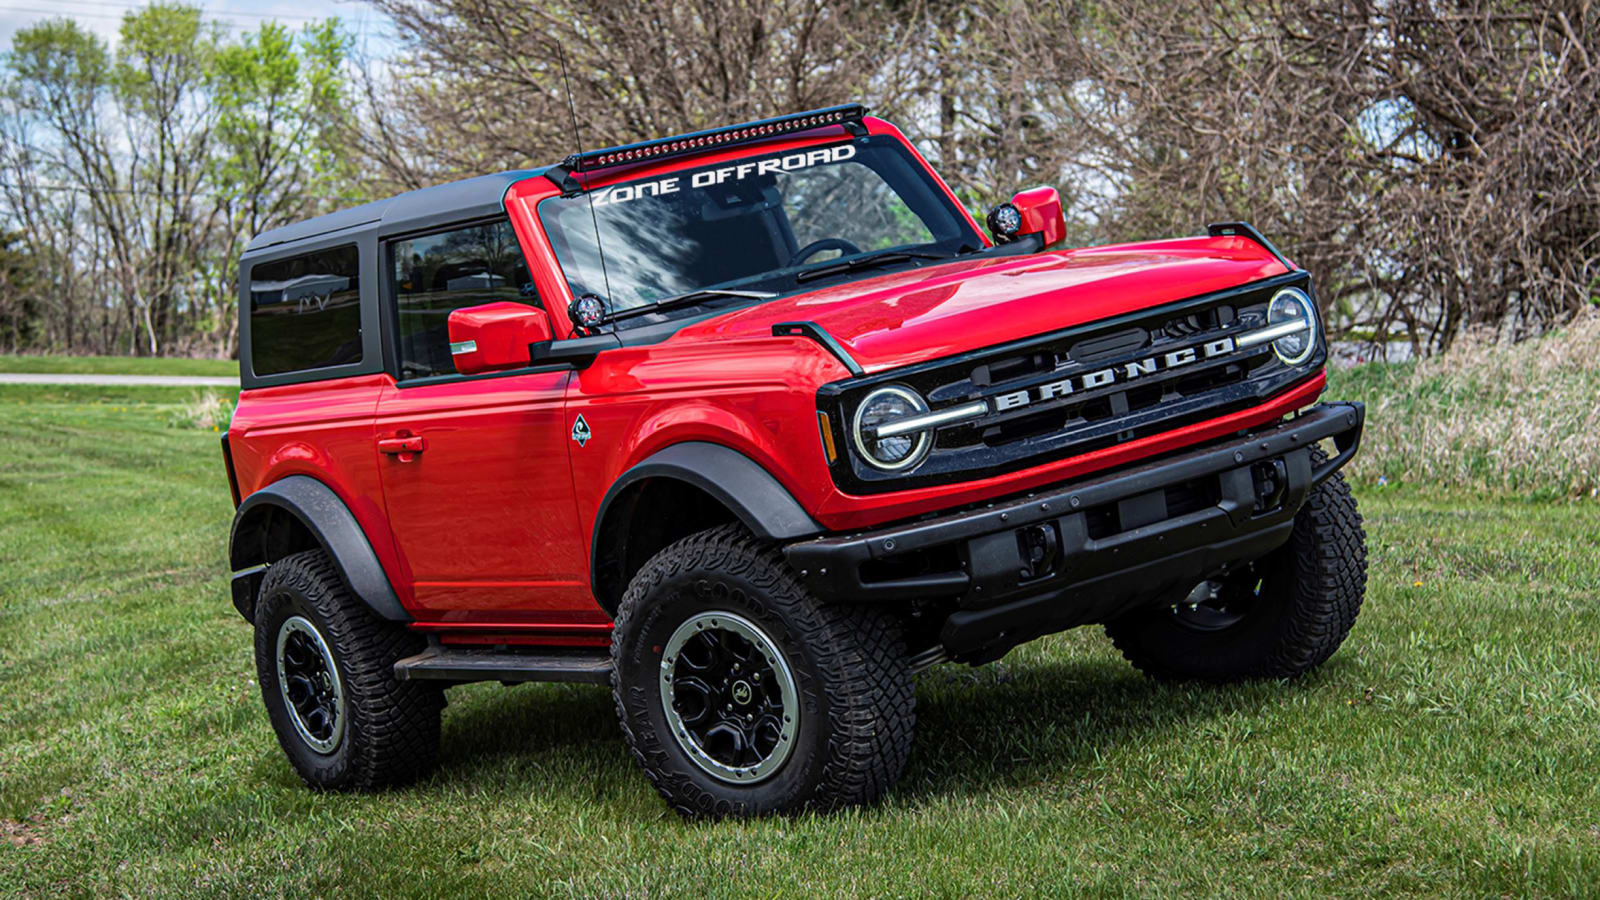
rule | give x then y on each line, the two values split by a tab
140	174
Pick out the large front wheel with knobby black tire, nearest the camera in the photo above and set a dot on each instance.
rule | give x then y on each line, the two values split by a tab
740	694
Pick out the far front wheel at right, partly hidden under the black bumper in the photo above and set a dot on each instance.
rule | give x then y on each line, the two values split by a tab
1281	617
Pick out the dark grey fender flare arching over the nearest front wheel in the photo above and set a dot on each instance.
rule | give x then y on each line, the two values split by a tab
758	499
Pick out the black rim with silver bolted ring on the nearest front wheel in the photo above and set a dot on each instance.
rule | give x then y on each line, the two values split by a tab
729	697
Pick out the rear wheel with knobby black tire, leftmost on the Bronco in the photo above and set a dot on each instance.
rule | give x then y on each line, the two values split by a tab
326	665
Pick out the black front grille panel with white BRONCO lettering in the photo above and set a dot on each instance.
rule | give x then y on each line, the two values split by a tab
1046	424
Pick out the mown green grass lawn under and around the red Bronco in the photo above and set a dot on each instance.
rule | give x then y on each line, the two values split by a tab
1450	749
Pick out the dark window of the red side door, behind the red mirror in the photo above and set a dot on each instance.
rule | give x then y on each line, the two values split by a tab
441	273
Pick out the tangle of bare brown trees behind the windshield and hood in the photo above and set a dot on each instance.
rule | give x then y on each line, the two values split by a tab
1436	167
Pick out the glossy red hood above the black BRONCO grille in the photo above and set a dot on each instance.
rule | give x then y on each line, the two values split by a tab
945	310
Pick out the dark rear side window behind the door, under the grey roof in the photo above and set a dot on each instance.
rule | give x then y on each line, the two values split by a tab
306	311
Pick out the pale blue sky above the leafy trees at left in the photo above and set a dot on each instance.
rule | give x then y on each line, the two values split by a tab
105	17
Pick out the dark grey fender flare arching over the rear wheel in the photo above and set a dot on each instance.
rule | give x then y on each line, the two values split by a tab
335	528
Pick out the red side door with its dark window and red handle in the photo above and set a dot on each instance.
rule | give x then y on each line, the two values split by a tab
476	470
